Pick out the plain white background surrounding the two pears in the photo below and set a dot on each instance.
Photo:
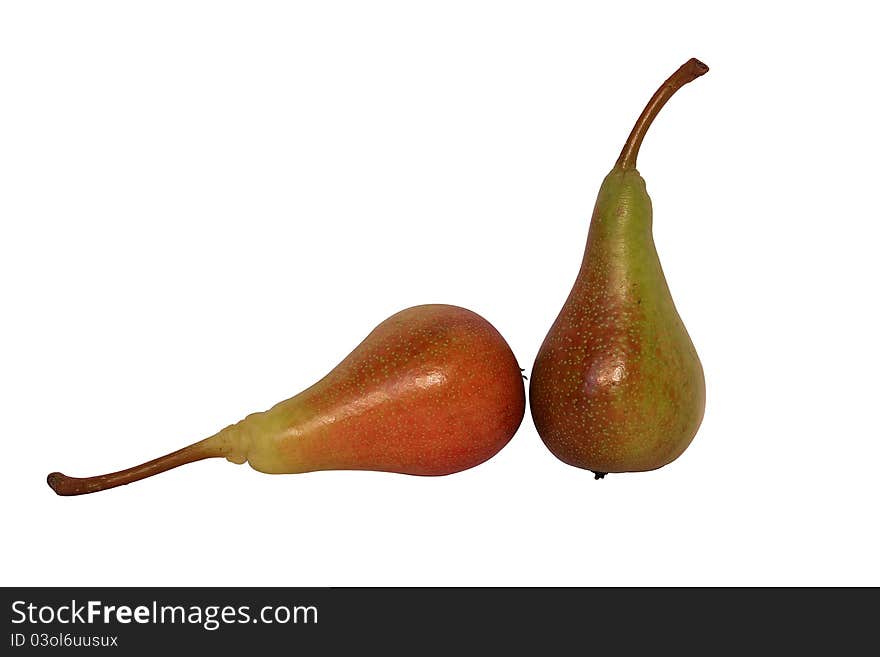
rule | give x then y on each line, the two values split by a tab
205	206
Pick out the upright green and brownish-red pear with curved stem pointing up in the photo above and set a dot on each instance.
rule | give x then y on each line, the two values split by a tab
617	385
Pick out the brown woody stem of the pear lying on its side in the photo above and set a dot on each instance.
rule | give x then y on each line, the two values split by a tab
204	449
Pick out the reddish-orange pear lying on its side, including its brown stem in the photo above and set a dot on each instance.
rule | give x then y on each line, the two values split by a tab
432	390
